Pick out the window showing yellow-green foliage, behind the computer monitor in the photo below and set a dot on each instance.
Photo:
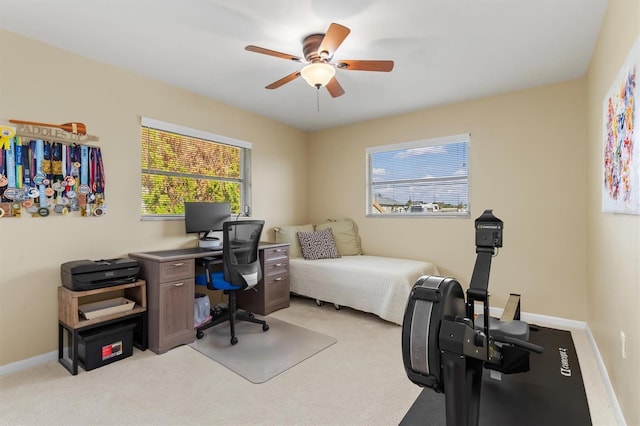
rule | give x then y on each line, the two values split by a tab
181	164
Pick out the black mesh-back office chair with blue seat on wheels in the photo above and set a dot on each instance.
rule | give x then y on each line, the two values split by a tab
241	271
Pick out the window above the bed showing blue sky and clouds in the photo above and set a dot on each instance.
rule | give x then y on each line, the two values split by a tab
420	178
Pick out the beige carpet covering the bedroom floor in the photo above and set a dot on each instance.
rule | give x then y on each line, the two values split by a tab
360	380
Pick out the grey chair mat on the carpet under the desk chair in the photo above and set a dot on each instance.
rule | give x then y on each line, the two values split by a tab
259	356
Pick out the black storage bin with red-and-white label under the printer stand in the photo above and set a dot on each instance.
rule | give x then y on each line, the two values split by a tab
104	345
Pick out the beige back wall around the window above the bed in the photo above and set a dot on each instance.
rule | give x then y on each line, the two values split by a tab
527	163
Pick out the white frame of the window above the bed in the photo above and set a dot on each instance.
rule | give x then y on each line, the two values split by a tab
371	211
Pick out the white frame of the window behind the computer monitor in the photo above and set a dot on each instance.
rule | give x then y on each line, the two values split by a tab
245	163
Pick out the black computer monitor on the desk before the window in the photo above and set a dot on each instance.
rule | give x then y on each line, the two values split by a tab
205	217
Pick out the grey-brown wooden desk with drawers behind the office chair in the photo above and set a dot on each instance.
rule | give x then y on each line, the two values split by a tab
170	277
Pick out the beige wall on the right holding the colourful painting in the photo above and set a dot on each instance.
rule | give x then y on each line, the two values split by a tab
613	259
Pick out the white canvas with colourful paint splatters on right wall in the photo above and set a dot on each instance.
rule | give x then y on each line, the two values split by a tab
621	134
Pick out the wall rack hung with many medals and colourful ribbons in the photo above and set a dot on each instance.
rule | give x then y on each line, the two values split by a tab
46	169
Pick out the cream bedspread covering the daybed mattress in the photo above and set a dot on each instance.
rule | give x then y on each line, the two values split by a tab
379	285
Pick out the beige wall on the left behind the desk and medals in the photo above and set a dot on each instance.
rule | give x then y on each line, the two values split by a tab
49	85
